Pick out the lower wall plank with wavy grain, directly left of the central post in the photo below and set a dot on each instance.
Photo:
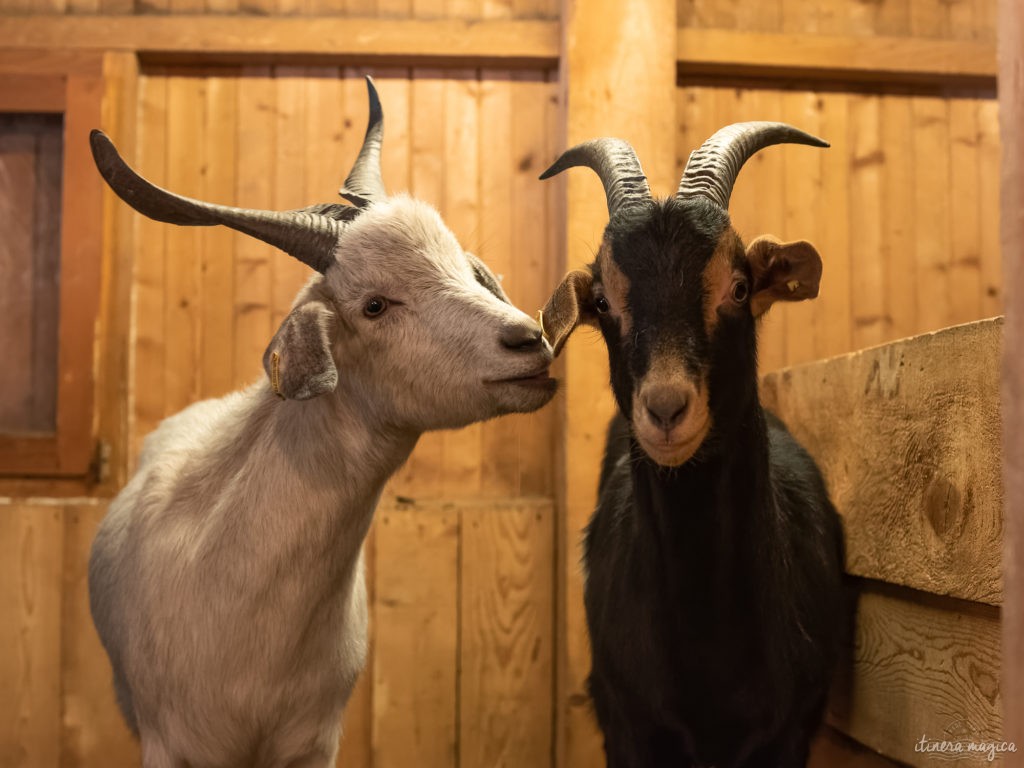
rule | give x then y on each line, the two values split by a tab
506	672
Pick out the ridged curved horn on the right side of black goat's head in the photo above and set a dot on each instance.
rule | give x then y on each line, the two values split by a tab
712	170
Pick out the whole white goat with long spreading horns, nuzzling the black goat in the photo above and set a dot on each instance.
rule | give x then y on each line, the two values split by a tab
227	582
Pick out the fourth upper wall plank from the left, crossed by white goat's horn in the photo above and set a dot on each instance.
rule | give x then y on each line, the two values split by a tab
254	189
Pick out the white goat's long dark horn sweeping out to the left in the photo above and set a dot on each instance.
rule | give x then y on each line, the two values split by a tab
311	235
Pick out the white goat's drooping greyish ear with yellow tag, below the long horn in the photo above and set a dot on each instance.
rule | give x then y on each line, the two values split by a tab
298	360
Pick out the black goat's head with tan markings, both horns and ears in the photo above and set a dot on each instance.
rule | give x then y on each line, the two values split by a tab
675	292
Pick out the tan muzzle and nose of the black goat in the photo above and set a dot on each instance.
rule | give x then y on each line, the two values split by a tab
671	415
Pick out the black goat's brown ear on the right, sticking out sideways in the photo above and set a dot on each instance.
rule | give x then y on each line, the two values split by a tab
783	272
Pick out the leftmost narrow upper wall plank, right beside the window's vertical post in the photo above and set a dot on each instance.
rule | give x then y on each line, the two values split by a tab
149	390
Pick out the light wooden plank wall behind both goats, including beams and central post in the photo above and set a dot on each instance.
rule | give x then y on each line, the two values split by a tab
480	650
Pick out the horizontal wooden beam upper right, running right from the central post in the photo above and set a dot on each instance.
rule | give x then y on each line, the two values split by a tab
899	60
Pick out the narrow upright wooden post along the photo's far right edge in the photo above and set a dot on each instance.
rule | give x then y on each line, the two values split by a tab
1011	27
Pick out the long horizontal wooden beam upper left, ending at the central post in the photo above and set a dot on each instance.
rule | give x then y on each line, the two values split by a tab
497	44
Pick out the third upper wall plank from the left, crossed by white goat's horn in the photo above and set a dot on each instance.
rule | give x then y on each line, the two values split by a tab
217	317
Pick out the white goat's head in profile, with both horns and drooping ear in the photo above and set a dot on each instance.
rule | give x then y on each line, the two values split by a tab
400	317
